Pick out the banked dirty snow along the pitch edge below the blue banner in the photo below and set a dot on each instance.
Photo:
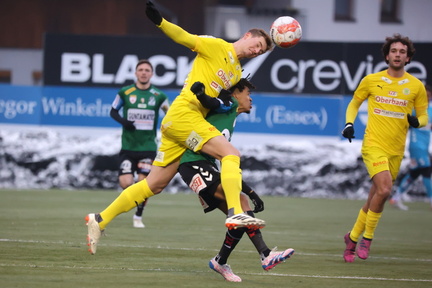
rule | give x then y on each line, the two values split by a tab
56	157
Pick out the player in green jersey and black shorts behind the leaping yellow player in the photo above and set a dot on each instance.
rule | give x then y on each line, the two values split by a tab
200	173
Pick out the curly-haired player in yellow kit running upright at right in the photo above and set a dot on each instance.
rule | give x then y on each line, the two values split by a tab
392	94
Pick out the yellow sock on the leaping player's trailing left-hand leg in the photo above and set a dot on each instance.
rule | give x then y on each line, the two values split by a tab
127	200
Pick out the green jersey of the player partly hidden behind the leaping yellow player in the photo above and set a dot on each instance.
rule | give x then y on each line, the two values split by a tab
224	122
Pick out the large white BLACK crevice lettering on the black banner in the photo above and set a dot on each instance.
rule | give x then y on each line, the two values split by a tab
325	75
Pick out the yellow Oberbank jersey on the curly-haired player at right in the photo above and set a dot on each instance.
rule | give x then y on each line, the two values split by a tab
389	101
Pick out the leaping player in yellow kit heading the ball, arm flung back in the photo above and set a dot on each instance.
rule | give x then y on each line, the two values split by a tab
217	65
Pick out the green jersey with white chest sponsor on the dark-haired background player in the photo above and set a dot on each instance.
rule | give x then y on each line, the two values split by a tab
142	107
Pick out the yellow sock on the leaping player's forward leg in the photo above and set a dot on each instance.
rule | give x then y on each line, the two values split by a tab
231	182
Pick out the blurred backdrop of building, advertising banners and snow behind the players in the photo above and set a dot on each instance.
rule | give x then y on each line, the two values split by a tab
55	126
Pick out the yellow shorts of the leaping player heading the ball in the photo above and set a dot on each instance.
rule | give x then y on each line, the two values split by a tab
182	128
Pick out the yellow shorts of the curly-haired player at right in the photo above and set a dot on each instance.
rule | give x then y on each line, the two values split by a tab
378	160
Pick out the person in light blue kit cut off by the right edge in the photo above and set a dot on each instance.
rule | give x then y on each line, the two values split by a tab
420	164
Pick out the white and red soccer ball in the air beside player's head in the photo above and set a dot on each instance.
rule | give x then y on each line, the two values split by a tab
285	32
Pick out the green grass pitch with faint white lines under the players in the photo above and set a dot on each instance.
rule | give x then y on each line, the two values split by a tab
42	244
